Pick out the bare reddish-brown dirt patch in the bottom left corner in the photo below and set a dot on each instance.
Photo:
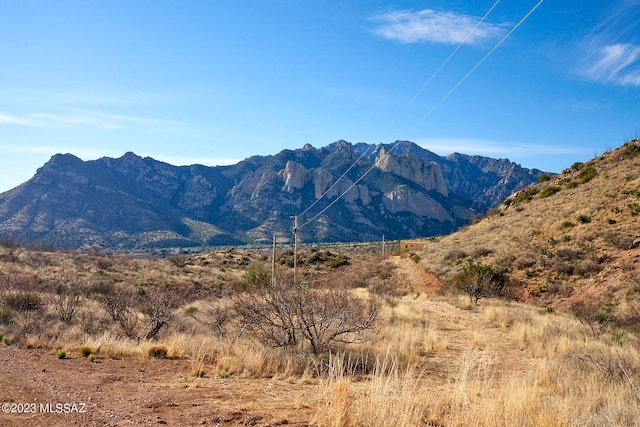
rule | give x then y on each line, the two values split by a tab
140	393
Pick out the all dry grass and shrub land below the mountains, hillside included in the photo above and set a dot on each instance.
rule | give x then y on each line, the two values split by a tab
530	317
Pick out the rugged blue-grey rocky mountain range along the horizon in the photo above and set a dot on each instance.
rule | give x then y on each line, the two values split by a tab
397	190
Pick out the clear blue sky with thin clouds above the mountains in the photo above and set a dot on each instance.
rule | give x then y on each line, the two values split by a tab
214	82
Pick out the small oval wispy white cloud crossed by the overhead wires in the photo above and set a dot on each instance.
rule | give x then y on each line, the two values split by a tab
435	26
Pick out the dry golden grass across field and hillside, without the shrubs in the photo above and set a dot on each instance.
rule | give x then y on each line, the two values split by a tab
435	359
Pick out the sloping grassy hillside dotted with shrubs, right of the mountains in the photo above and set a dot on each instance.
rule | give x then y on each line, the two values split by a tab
574	236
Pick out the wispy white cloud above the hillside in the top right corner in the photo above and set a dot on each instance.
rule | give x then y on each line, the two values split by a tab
611	51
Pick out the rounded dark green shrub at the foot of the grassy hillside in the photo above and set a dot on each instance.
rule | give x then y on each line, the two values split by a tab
480	281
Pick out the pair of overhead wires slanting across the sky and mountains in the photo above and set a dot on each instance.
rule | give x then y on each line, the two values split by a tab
334	201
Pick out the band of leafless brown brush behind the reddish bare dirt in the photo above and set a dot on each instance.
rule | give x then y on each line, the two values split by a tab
316	315
